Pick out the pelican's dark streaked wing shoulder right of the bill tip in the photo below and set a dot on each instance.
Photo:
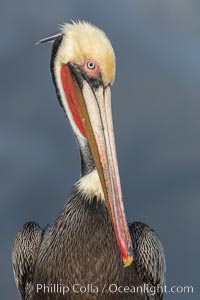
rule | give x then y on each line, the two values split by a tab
149	257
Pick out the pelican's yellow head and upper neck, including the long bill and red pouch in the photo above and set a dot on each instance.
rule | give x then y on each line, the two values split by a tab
83	70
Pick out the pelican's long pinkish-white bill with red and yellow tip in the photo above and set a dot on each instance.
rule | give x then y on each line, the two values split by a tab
93	108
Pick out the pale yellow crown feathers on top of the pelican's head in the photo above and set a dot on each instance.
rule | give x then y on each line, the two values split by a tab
82	40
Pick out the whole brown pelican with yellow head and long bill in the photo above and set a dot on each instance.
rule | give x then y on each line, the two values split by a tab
89	252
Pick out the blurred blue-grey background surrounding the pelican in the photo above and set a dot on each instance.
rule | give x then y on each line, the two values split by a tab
156	111
